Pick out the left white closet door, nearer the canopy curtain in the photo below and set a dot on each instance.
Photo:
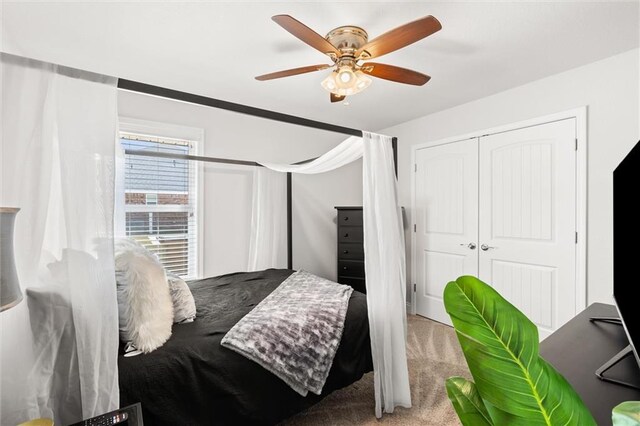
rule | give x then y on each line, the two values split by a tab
446	218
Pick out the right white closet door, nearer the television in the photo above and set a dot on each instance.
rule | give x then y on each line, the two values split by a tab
528	220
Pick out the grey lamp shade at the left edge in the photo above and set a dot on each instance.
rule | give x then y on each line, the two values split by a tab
10	294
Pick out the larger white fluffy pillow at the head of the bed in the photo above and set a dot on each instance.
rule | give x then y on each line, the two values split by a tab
144	302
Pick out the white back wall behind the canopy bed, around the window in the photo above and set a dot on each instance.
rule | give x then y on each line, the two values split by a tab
227	199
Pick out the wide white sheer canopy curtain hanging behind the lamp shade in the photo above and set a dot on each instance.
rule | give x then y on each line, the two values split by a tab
59	346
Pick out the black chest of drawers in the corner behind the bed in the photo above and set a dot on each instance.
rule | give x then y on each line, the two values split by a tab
351	248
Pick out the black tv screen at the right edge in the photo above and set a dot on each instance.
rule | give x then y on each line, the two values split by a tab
626	234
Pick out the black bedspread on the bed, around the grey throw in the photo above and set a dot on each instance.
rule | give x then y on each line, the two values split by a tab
192	380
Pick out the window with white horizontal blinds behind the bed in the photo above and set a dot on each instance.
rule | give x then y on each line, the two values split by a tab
160	210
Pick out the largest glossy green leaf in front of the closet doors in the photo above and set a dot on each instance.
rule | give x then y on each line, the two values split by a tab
501	345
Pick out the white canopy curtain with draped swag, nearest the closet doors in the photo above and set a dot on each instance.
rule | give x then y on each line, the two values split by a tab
384	259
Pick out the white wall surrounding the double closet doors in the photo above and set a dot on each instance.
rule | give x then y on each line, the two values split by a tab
610	90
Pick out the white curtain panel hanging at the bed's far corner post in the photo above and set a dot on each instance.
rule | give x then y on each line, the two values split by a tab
268	243
